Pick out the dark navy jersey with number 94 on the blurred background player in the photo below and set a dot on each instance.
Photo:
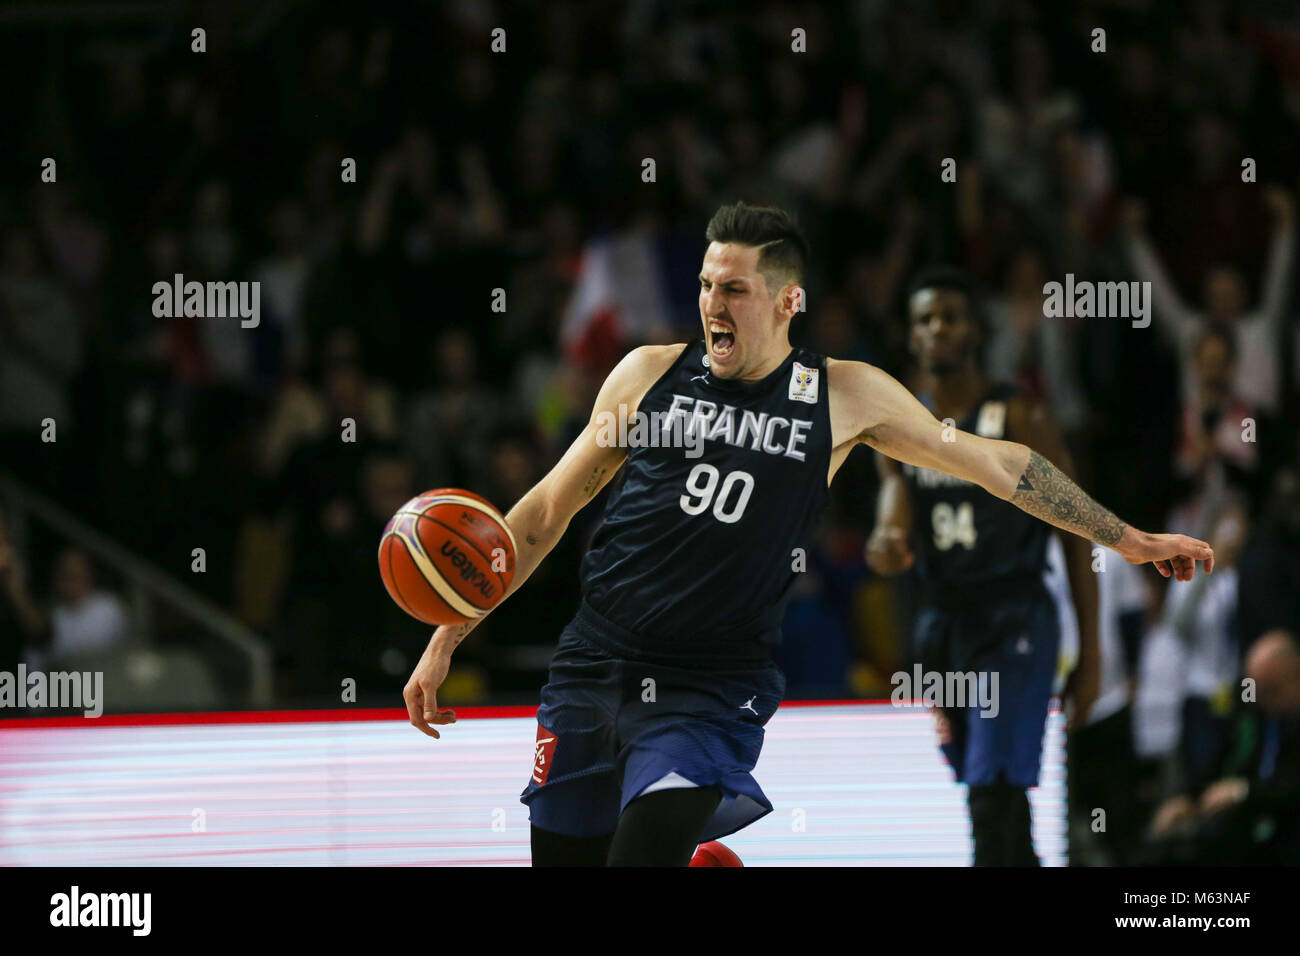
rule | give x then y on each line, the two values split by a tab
967	539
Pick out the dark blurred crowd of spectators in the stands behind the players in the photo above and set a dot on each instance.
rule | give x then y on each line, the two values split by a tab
482	171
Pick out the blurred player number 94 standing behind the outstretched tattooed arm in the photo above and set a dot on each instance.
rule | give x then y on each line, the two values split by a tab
986	608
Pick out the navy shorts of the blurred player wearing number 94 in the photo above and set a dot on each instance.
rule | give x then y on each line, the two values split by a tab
1019	642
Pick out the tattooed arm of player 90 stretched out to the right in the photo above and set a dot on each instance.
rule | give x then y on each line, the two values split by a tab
890	419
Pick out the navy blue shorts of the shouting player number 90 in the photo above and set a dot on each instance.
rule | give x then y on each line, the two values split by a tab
610	729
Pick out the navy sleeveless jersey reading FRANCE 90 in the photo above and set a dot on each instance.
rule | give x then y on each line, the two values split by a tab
699	546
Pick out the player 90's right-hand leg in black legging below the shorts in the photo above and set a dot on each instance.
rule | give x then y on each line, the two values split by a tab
664	828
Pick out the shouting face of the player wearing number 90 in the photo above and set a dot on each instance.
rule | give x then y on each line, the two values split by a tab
743	321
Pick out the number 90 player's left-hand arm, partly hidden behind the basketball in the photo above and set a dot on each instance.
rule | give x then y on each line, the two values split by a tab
540	518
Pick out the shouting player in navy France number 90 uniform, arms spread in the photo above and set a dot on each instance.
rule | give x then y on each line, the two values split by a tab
660	689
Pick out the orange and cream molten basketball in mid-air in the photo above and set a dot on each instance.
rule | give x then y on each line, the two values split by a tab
448	557
